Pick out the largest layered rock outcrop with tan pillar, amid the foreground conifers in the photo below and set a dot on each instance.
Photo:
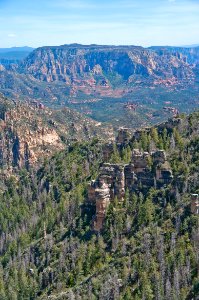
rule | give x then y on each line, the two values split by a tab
114	179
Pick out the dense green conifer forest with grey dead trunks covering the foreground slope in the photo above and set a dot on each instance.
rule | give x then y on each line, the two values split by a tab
148	247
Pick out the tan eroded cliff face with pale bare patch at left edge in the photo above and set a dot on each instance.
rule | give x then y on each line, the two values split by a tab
25	138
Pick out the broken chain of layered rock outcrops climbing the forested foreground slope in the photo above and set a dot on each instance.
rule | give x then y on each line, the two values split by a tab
145	170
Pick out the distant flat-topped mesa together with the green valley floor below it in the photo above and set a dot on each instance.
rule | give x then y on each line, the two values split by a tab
123	85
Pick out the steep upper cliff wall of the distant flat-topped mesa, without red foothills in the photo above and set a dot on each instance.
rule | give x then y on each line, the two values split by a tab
69	62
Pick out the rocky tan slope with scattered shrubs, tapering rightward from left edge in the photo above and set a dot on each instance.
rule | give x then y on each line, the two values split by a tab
30	132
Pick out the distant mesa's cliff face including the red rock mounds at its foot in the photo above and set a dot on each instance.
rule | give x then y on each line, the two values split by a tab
97	68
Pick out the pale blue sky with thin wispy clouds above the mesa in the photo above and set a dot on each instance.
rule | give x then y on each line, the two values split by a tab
55	22
